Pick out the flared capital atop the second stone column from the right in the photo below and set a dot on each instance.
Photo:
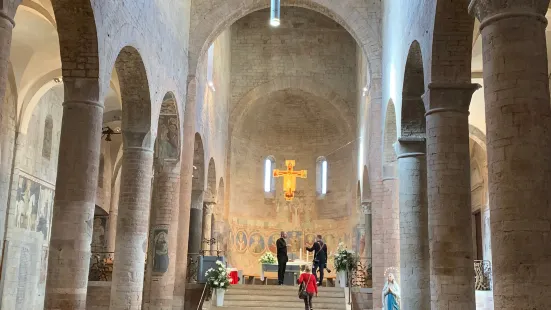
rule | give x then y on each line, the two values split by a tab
449	97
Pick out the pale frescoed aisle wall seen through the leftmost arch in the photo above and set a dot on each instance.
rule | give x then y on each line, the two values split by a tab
31	205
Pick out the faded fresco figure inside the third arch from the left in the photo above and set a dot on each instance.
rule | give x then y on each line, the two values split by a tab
168	143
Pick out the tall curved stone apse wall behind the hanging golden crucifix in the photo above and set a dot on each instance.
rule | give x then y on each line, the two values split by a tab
285	82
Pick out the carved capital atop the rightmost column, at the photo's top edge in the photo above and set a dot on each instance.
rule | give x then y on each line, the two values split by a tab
488	11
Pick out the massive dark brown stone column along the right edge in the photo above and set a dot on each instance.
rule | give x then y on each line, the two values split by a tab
516	92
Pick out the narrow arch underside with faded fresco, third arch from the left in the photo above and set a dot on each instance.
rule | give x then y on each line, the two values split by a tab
167	142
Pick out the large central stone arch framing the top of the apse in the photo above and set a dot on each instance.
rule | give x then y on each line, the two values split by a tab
206	25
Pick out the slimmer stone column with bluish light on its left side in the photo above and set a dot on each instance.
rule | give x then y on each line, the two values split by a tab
414	239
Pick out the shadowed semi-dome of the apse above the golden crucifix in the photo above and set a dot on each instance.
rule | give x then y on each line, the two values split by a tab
291	114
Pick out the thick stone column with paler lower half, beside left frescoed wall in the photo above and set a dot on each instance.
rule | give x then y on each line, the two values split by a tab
75	196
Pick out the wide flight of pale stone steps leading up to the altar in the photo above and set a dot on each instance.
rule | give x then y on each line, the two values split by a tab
256	297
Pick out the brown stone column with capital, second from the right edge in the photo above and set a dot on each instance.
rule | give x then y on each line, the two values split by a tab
449	195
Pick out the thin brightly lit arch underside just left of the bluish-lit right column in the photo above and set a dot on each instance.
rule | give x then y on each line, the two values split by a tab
390	137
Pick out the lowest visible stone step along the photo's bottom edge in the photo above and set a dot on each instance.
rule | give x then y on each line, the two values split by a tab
281	304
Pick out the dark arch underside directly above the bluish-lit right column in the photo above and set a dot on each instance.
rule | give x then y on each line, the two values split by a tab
413	122
